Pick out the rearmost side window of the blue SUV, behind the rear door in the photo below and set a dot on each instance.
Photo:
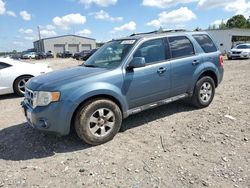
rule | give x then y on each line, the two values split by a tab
206	43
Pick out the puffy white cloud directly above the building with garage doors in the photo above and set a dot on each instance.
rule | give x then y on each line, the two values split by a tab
71	19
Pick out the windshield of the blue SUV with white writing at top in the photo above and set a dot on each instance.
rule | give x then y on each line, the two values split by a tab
111	54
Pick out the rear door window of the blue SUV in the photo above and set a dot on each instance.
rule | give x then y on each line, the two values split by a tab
180	46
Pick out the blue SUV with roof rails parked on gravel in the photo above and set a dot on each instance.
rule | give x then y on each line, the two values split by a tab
124	77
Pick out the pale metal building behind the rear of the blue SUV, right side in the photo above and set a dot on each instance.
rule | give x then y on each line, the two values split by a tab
224	38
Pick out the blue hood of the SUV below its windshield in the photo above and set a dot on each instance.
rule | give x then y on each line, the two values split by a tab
53	80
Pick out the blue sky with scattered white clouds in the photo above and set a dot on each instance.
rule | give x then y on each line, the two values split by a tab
104	20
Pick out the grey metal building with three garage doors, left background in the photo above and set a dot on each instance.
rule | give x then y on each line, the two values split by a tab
59	44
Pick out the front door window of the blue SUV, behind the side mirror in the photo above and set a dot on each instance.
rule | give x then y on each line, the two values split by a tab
153	51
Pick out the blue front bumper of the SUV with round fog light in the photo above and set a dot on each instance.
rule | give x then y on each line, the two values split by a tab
51	118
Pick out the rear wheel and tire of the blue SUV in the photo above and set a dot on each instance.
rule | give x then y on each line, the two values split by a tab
204	92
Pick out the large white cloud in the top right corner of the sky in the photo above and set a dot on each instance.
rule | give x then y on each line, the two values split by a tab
236	6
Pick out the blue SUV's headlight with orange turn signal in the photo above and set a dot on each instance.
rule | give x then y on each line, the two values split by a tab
44	98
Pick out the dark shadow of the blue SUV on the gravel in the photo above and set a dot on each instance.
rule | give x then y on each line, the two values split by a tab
21	142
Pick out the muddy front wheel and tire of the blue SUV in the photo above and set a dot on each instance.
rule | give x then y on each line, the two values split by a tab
98	121
